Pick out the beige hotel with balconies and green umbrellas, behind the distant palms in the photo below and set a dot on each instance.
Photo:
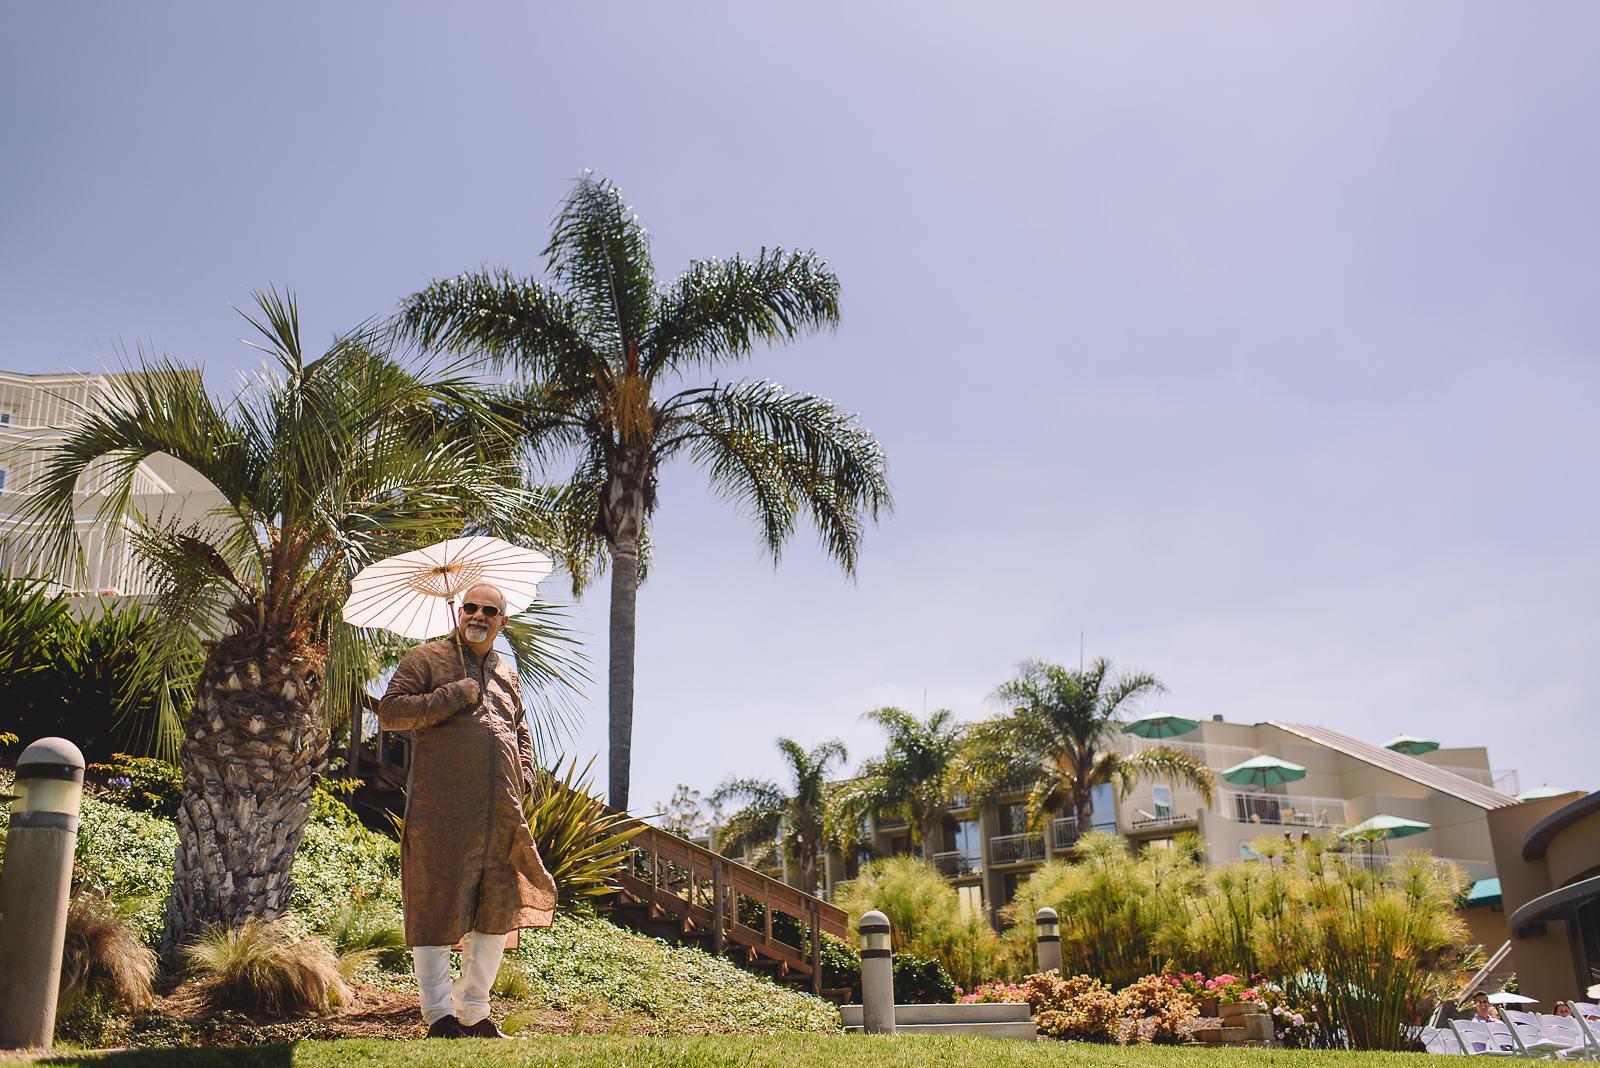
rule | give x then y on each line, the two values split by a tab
988	851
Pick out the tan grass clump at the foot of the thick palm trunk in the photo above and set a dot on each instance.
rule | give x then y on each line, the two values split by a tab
268	968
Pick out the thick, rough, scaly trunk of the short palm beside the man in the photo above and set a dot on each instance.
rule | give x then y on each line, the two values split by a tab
254	749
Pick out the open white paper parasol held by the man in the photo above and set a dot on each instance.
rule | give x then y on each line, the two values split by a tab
415	594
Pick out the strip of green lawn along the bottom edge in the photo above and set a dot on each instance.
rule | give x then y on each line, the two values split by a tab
838	1051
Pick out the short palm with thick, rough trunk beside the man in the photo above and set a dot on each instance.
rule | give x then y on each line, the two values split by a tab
324	466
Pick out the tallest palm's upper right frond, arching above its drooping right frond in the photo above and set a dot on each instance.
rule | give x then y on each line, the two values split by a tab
722	308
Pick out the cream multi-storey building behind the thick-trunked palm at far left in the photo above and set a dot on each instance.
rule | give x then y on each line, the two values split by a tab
36	412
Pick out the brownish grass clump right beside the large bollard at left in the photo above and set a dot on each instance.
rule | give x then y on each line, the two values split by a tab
103	965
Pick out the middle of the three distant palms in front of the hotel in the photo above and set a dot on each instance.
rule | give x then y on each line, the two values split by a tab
918	778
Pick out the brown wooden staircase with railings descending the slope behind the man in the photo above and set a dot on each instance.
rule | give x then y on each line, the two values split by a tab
671	888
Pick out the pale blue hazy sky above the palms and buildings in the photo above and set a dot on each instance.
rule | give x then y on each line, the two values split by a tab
1255	343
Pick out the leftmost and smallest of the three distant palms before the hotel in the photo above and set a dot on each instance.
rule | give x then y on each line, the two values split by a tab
774	815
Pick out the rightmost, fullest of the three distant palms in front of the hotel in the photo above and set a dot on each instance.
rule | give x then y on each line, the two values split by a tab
1058	739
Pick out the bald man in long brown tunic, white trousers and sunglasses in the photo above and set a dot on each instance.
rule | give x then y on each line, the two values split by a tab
470	871
